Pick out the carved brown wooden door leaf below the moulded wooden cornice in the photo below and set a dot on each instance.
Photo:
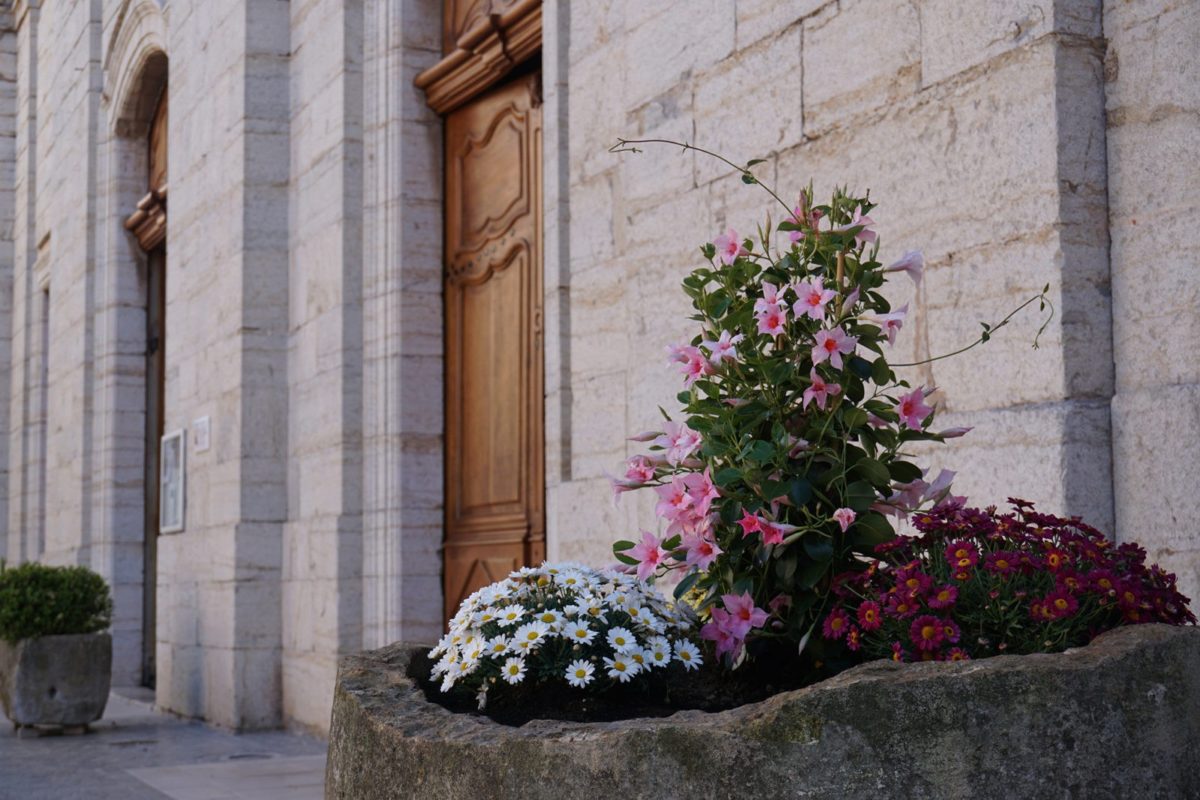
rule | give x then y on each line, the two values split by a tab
495	480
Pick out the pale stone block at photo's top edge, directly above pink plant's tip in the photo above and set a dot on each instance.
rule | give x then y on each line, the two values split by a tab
859	61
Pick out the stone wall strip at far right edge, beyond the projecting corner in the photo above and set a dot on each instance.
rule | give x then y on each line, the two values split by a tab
1154	147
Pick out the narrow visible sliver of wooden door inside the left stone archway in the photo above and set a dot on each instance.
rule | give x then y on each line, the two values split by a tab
148	224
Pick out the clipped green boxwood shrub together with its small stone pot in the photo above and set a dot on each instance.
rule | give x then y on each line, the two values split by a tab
56	658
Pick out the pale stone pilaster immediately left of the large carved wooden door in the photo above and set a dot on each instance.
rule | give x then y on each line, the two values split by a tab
403	327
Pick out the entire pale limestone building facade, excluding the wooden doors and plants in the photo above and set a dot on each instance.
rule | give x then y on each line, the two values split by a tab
1017	143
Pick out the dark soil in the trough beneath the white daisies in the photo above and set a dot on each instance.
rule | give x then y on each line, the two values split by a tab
710	689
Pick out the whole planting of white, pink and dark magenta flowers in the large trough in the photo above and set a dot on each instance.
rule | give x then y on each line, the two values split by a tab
778	488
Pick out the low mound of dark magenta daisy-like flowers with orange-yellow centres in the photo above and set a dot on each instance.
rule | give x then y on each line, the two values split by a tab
980	584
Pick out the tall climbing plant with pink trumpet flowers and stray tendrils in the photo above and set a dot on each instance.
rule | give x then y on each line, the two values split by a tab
791	452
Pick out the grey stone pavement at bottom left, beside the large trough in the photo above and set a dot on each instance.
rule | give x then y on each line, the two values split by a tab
136	754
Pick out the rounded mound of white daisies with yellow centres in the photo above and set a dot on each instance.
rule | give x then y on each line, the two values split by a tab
563	623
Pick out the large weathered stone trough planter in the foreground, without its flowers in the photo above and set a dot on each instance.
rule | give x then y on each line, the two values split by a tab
1120	718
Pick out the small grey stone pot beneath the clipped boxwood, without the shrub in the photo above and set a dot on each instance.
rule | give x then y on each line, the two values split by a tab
57	681
